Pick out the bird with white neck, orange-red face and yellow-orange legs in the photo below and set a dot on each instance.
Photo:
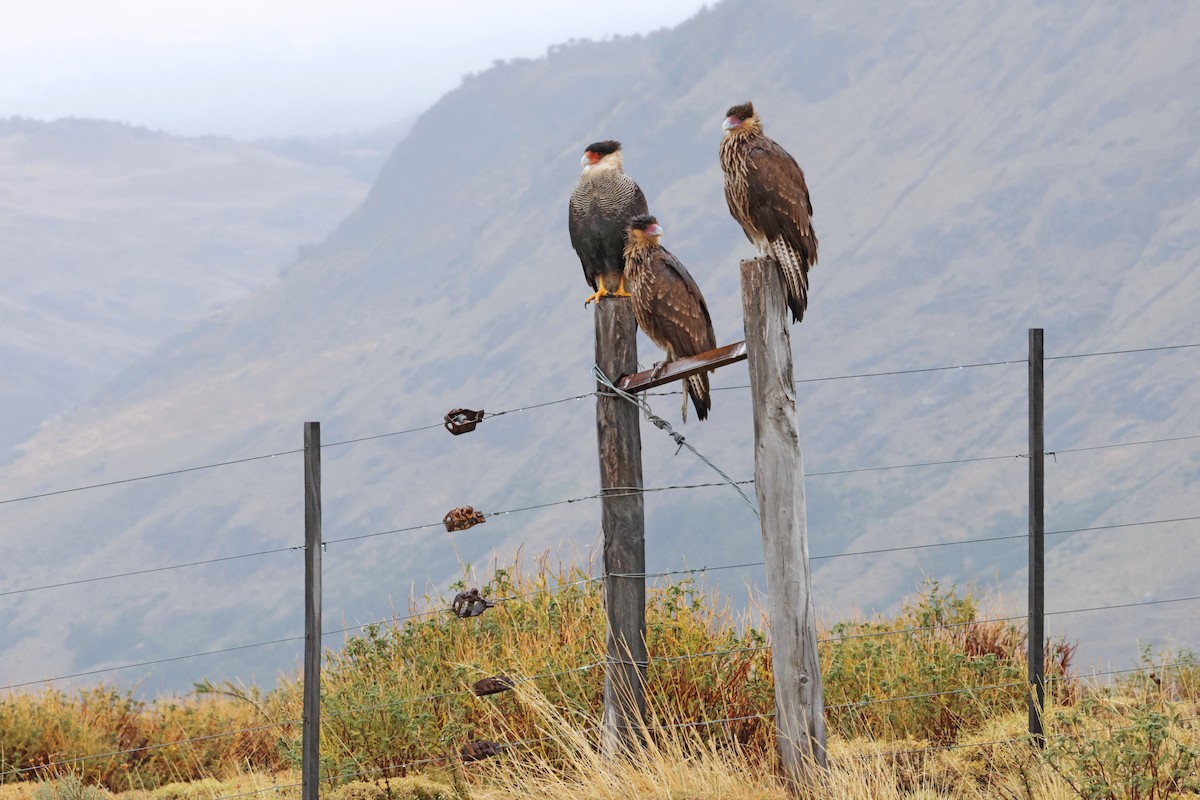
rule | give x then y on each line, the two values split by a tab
601	208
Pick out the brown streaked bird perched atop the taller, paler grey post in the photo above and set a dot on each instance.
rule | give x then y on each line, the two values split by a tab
766	193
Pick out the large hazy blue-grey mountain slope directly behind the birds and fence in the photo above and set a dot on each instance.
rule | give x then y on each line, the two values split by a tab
976	172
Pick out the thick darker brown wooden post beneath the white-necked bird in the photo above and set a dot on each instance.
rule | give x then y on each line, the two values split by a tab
620	438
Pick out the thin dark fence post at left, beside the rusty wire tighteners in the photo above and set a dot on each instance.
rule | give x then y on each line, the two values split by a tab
310	744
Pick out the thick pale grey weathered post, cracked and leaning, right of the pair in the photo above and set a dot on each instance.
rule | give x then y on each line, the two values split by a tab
779	483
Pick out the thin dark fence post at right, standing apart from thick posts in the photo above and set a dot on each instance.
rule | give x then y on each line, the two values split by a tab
1036	639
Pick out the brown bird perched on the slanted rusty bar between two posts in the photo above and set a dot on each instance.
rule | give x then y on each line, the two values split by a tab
668	305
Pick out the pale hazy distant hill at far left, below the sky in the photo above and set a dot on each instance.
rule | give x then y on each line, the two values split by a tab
115	238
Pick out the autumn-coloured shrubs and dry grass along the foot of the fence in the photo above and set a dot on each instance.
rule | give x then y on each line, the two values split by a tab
1137	741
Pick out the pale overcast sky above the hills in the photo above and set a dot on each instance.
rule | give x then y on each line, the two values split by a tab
275	68
